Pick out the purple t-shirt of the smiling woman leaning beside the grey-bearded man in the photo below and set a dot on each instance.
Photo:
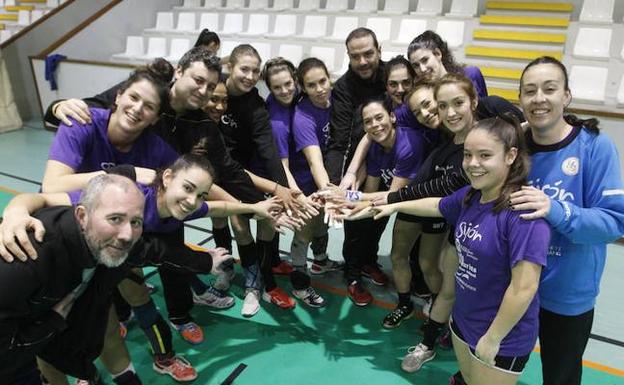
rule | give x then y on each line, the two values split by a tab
152	223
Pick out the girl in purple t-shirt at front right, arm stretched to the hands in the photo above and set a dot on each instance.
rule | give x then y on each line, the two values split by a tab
500	255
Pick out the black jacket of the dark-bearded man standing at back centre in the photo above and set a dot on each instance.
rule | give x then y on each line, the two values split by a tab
345	125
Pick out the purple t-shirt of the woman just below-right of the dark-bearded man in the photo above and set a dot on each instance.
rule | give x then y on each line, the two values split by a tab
403	160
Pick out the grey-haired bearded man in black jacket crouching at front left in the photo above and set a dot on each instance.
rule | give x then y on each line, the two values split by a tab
56	307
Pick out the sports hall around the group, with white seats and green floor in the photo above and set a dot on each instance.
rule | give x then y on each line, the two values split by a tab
103	40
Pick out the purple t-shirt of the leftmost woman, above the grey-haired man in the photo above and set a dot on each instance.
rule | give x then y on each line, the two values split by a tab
86	147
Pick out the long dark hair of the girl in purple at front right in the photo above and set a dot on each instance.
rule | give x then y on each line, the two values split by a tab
507	130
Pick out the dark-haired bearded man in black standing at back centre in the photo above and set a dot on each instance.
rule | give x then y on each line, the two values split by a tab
364	80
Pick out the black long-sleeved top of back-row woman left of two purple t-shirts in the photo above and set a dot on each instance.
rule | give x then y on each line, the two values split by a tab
246	126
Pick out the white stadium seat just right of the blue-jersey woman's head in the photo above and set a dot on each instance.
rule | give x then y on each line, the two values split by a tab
588	83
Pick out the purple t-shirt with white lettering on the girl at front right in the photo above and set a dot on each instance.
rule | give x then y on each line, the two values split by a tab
489	245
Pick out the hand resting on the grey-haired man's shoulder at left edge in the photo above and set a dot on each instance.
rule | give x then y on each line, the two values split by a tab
14	241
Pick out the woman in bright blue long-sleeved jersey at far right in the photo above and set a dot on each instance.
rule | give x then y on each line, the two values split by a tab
575	184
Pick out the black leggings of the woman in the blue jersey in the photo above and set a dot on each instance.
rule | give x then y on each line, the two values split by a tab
562	342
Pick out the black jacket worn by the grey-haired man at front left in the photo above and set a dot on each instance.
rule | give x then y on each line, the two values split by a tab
28	291
